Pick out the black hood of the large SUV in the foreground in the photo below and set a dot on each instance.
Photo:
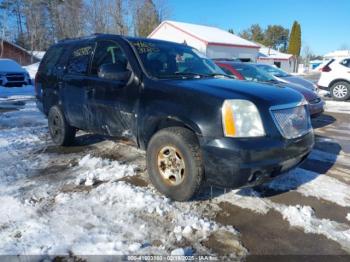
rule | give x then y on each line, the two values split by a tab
236	89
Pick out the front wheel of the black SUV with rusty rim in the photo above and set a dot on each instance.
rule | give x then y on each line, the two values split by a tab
188	159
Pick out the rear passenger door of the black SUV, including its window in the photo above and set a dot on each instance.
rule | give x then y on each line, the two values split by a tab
74	87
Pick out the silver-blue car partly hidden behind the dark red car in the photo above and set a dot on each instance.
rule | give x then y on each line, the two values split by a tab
285	77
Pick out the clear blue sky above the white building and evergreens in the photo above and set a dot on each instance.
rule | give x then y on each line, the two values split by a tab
325	24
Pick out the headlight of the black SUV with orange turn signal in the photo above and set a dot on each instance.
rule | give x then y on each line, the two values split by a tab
241	118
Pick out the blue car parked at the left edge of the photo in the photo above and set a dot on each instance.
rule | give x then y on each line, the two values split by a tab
12	74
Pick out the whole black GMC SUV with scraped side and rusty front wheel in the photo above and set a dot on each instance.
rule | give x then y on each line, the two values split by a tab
196	123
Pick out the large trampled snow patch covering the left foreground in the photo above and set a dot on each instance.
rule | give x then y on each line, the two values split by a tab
67	211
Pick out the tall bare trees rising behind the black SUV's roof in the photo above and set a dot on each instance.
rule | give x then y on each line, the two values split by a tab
36	24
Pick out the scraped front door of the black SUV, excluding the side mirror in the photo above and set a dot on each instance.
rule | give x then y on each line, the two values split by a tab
113	104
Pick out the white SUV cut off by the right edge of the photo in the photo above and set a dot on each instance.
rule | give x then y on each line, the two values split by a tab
335	77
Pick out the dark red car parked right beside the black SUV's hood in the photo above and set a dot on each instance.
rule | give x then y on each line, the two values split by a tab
252	72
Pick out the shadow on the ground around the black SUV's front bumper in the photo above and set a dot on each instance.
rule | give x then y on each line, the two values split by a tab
319	162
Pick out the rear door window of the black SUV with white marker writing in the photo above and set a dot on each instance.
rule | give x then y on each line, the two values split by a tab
79	60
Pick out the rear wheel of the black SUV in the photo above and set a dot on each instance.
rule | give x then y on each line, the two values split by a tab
61	132
